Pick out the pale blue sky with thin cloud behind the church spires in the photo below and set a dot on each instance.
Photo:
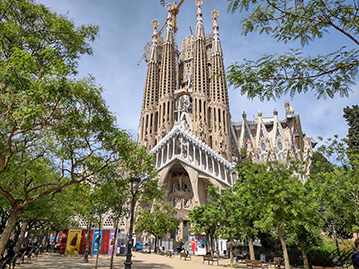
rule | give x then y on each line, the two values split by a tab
125	28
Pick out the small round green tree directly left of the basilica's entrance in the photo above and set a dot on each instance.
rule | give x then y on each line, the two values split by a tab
158	221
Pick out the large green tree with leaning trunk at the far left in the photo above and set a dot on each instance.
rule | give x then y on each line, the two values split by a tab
48	117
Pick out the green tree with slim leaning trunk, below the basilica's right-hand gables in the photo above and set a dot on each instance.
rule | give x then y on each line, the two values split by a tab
281	203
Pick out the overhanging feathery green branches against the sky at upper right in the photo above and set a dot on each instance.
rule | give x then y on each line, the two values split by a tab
272	76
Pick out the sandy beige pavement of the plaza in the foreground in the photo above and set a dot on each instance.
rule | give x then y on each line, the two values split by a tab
140	261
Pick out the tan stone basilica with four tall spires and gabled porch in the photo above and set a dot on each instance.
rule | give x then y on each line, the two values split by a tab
186	121
